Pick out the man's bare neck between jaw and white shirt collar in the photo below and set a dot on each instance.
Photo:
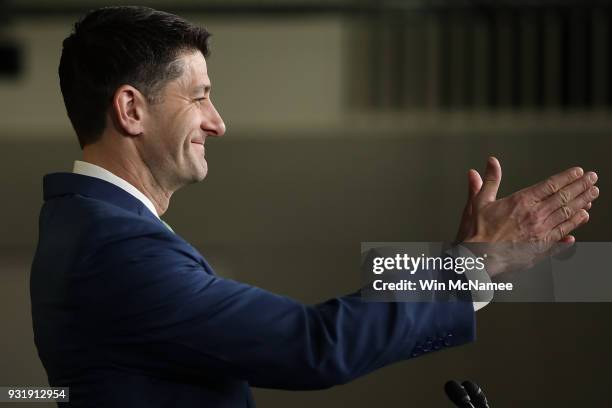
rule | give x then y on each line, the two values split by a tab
131	168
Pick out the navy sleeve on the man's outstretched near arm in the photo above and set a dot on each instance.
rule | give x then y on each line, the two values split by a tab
150	306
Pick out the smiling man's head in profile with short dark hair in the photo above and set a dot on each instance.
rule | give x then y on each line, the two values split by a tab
140	75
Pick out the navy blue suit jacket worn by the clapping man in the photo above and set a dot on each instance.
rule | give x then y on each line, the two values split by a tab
128	314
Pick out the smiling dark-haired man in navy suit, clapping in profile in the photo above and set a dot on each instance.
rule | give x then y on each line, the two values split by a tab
128	314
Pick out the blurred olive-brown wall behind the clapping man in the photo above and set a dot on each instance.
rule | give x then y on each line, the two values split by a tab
350	121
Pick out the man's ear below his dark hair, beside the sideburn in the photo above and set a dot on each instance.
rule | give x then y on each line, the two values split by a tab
127	110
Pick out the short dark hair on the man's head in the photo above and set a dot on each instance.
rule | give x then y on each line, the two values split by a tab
113	46
